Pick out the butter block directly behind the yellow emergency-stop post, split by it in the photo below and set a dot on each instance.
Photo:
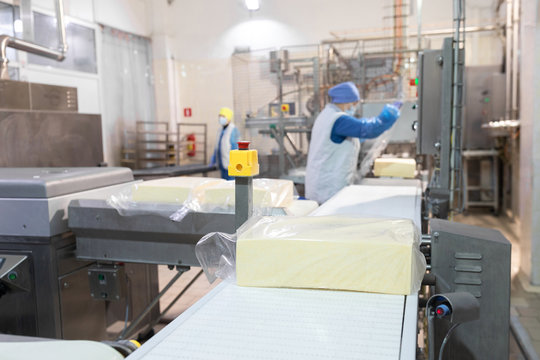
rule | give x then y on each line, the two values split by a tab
266	193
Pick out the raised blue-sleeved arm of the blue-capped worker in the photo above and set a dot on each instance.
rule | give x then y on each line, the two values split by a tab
364	128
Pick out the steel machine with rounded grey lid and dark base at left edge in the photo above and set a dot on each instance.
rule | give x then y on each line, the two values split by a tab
44	290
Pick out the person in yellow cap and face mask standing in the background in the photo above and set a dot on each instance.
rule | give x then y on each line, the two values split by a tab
226	140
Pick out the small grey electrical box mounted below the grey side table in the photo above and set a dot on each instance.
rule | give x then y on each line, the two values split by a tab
107	282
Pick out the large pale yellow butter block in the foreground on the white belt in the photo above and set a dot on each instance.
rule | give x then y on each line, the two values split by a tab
330	252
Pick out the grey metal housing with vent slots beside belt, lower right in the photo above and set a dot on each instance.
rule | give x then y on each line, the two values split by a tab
475	260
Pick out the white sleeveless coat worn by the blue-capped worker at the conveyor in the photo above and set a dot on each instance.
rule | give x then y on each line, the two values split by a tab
330	166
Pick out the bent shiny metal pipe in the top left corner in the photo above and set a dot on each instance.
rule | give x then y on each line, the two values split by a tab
19	44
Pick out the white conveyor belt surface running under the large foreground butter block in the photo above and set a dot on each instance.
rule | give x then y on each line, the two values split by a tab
233	322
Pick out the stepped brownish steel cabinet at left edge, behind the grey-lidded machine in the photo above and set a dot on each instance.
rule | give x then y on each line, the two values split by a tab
40	126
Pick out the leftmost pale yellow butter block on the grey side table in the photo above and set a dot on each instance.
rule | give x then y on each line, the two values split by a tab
173	189
